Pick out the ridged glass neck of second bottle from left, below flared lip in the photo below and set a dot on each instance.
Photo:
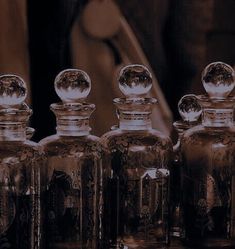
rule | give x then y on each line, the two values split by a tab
73	126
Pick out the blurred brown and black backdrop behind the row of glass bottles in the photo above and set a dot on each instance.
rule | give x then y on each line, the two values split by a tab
176	39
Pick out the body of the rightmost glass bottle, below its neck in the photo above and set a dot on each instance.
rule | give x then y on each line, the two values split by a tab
208	186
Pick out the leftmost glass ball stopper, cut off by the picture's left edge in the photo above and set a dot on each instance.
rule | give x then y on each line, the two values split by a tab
13	90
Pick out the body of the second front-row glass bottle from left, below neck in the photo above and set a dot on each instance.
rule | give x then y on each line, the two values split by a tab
73	192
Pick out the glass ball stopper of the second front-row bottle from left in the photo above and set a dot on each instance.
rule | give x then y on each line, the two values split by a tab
72	85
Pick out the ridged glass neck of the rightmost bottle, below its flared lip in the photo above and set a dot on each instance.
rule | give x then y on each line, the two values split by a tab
213	117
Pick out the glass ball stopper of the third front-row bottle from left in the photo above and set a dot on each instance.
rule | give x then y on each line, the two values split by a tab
135	80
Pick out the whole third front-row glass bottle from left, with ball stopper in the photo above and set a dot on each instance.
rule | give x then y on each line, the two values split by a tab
136	191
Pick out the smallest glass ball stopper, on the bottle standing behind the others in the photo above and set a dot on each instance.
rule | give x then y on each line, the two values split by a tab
189	108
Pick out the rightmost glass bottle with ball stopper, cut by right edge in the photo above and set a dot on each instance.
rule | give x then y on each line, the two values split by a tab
209	163
